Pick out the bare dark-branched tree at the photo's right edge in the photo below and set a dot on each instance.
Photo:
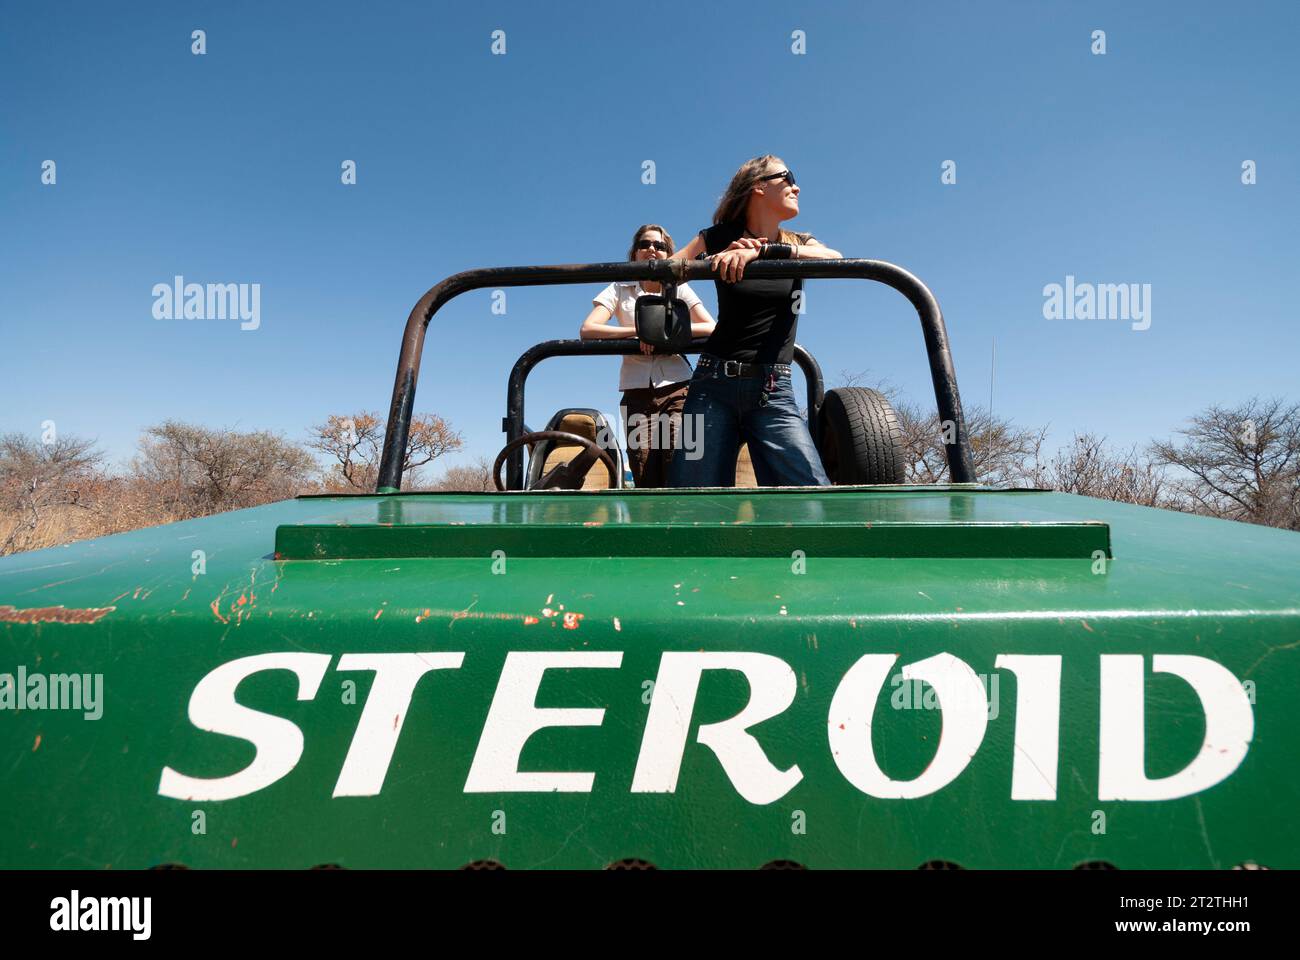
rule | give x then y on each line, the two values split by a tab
1241	464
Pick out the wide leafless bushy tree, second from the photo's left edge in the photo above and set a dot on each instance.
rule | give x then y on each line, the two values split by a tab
197	470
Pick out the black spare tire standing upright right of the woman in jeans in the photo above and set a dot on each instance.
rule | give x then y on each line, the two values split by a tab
861	438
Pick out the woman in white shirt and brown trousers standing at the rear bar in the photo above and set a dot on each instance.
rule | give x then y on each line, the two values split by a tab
655	386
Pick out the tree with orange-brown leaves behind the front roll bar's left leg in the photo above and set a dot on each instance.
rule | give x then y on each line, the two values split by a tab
356	443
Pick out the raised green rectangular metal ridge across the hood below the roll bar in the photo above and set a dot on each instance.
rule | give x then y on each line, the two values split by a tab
761	525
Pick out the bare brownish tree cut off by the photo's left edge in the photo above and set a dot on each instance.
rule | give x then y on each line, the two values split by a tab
37	481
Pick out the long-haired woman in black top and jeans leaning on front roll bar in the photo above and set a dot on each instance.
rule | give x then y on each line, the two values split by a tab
742	388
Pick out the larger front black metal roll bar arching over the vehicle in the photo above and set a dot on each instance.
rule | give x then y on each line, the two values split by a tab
947	399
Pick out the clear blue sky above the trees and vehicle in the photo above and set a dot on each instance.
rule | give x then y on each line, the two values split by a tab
226	168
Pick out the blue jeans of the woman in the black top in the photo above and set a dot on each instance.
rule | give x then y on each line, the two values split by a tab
729	412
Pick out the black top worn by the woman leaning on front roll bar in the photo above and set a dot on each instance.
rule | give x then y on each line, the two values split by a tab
756	318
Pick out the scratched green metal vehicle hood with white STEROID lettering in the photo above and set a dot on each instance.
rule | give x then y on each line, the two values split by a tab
154	619
